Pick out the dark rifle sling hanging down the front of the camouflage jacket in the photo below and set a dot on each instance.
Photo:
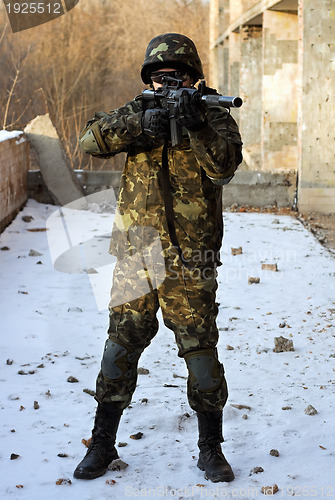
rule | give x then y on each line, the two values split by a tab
168	204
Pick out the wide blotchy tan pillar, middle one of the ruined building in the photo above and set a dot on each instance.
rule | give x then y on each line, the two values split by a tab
280	60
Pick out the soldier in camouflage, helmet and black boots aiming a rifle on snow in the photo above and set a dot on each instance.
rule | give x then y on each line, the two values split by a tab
177	191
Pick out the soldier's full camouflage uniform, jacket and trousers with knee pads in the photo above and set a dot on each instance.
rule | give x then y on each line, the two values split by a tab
198	167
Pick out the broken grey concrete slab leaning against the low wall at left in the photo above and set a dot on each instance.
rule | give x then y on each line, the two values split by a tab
58	176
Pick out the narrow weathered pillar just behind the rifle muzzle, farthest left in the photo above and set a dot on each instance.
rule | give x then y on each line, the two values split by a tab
251	75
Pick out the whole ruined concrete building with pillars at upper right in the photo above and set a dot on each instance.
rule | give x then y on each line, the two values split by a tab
279	56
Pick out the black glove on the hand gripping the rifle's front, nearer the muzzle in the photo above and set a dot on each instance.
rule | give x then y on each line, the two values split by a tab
188	111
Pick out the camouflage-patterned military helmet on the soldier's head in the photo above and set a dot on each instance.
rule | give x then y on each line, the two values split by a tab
171	49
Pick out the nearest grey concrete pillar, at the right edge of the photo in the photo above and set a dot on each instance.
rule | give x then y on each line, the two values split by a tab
316	191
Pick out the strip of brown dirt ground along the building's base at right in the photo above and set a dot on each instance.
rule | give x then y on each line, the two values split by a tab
322	226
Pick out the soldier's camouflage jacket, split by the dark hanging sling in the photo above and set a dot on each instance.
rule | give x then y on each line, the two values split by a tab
198	167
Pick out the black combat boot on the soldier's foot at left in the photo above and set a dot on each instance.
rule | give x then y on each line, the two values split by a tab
101	452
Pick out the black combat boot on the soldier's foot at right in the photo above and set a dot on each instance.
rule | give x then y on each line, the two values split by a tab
211	459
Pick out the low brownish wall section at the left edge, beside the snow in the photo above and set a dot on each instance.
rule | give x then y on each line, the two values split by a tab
14	165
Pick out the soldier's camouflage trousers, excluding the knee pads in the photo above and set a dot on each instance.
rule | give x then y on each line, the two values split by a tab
187	301
